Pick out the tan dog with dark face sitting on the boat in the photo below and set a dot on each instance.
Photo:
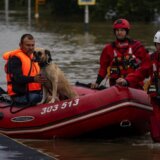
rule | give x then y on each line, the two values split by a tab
57	86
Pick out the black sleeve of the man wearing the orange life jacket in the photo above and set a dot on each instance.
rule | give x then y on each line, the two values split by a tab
15	68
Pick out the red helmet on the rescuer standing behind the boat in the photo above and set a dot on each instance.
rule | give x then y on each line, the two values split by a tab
121	23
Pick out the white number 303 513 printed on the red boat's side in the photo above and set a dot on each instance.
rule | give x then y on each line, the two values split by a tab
53	108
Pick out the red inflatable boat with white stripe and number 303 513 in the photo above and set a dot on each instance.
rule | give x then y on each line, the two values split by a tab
92	110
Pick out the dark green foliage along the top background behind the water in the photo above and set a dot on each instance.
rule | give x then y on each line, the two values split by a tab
137	10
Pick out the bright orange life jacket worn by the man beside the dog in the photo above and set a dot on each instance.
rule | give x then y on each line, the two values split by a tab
29	68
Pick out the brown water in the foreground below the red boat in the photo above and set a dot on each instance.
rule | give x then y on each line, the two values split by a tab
138	148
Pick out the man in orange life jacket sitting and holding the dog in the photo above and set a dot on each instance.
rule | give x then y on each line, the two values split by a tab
22	73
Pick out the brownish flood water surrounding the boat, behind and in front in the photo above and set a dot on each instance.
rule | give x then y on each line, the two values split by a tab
77	53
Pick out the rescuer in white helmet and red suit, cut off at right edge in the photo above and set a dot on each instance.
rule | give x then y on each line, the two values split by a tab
154	89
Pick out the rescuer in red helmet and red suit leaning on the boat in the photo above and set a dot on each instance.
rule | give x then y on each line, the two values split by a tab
123	57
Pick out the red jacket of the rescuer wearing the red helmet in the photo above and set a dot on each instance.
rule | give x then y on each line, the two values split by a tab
141	55
